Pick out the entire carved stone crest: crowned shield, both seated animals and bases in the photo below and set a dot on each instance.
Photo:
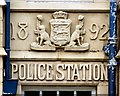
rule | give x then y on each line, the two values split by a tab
60	34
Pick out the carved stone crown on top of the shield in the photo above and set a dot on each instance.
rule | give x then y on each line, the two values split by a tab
60	14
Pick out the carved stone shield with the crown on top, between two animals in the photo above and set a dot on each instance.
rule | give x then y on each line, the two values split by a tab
60	28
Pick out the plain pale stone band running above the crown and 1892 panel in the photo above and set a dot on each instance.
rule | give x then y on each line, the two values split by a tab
53	6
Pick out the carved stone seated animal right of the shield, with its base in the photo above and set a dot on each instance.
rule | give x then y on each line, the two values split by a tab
77	39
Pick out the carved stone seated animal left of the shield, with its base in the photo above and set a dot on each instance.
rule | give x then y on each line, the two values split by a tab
42	39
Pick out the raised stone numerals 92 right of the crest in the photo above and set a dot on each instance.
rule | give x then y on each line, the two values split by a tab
95	29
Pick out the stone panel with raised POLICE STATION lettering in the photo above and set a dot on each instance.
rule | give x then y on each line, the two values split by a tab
78	72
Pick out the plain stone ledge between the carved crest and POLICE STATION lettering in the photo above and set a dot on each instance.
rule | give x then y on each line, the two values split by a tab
63	56
